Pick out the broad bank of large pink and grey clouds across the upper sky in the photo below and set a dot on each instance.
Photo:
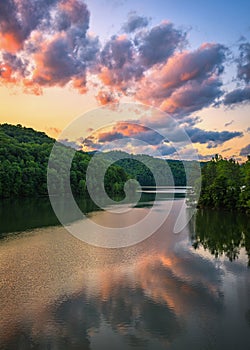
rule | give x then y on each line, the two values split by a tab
46	43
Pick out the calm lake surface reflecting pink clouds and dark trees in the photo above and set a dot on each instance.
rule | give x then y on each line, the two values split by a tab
173	291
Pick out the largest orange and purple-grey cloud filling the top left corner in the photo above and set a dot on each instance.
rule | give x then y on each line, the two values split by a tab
48	43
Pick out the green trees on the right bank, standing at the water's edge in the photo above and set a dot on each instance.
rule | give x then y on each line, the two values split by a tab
225	184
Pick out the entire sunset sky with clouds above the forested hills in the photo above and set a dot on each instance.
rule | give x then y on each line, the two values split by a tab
60	59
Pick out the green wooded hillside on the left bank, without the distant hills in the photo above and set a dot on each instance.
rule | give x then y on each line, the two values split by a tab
24	155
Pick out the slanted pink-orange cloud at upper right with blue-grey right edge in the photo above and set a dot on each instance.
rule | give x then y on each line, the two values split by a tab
187	82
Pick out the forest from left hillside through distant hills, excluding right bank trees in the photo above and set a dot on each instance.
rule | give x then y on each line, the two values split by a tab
24	155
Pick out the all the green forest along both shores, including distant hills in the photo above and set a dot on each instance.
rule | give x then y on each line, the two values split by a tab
24	155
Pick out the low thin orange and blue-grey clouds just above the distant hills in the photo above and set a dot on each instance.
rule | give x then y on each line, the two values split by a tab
147	137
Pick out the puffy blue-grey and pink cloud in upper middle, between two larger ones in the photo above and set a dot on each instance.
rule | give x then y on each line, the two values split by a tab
125	60
